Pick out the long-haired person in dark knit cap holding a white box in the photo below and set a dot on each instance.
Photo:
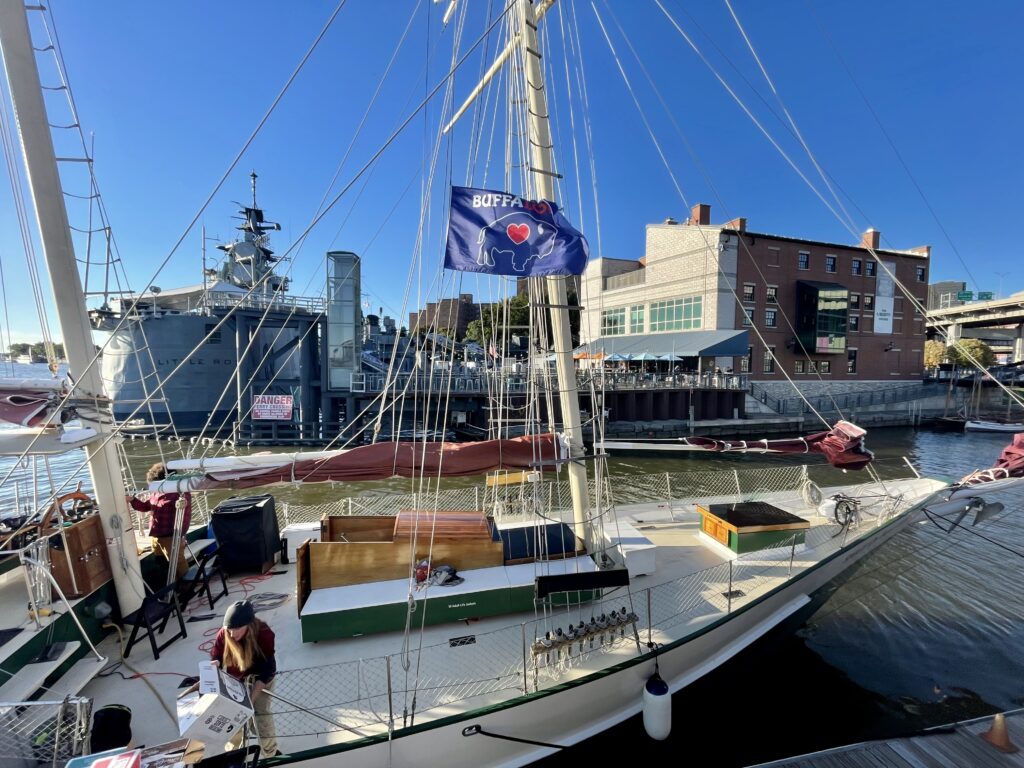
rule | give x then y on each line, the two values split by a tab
244	649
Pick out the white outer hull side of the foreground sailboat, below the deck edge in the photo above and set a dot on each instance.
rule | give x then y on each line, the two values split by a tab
580	709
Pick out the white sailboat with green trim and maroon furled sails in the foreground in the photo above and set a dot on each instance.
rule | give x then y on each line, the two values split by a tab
490	628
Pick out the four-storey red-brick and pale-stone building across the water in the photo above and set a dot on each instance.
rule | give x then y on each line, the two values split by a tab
823	309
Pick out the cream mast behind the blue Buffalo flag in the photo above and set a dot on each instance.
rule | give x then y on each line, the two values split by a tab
542	167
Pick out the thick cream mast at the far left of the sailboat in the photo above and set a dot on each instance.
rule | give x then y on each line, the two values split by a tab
45	182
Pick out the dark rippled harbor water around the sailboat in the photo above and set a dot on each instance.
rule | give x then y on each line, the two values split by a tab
926	631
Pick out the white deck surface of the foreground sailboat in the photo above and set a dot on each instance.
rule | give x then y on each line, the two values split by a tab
344	678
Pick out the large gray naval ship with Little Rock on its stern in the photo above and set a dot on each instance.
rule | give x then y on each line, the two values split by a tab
269	345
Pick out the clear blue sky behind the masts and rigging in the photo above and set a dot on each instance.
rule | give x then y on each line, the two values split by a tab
172	91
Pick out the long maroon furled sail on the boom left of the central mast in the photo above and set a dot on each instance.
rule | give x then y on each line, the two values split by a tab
381	461
